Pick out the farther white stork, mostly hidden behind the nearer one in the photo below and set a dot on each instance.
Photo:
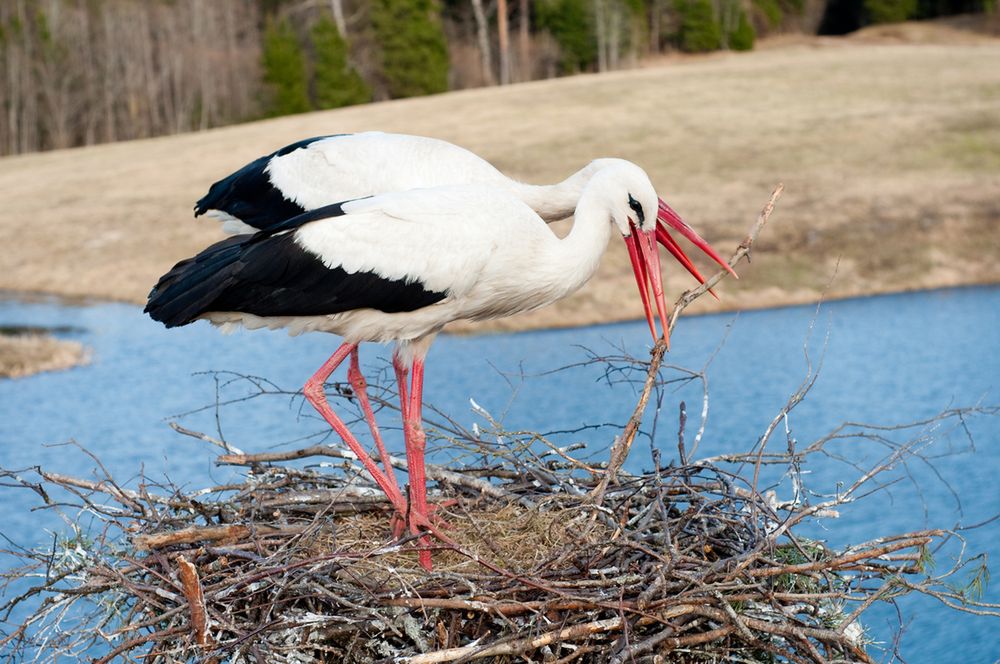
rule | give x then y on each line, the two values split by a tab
324	170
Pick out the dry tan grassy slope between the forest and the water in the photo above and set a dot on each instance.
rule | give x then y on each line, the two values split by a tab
889	151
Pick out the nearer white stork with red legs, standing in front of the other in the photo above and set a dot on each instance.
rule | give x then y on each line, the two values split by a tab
399	267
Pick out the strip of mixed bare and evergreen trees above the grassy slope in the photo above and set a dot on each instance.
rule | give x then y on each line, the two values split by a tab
79	72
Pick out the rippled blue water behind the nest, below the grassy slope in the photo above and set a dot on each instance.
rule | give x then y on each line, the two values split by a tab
885	360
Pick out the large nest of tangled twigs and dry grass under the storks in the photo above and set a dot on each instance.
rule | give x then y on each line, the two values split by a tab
538	556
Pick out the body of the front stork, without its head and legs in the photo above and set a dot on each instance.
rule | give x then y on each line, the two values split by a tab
394	267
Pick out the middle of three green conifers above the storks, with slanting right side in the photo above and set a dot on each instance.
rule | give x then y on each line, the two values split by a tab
335	82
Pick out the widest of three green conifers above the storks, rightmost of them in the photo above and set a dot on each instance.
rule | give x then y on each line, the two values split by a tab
414	53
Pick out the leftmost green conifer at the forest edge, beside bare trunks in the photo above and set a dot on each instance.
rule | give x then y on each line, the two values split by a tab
284	71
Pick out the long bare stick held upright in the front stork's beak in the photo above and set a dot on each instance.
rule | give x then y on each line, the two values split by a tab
621	446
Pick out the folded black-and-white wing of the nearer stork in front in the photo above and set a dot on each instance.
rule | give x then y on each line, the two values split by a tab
397	252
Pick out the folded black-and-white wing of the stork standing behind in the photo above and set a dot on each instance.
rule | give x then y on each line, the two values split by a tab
321	171
